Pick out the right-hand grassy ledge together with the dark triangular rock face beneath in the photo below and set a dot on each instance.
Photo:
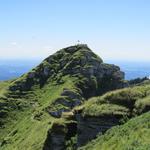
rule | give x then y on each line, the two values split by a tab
101	113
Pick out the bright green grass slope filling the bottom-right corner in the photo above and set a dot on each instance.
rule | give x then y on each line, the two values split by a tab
133	135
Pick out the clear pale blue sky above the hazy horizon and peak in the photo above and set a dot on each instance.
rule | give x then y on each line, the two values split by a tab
114	29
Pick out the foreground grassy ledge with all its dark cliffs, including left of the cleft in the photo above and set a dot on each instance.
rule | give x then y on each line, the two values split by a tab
95	116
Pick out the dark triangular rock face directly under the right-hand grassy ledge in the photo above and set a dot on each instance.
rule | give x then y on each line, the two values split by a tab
89	127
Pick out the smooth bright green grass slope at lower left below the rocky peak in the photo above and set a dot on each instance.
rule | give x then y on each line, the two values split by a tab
26	125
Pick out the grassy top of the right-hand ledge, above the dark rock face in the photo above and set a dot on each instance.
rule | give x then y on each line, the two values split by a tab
128	102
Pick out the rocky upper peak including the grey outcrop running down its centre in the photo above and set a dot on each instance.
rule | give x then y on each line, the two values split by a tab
90	76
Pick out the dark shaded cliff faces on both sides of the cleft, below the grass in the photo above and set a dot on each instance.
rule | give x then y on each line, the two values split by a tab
85	129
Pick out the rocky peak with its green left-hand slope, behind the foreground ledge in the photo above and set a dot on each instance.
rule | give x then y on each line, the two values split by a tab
30	104
